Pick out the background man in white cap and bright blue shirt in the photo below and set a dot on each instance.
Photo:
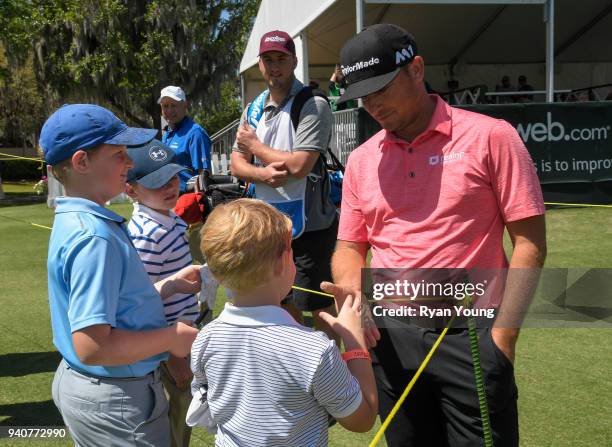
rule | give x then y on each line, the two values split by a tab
188	140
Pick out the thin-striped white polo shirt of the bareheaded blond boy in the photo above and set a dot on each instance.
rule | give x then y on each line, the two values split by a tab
271	382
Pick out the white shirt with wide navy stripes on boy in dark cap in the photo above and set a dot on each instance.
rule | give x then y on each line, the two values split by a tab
162	245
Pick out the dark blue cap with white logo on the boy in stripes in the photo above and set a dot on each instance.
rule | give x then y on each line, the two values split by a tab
153	166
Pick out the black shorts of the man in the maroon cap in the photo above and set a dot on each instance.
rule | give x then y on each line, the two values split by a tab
312	253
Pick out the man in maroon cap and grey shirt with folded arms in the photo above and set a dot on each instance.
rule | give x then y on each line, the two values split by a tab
287	165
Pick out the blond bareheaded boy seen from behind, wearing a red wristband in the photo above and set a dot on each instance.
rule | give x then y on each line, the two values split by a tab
260	378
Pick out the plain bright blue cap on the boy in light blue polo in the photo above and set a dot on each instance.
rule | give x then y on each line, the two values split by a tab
83	126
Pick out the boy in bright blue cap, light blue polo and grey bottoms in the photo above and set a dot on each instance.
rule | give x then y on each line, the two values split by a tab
107	317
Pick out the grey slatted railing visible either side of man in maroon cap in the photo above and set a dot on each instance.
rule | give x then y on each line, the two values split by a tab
343	140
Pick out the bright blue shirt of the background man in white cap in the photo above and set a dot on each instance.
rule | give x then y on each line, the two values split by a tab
192	145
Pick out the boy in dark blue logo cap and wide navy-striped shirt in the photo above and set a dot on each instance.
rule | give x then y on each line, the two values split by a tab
159	237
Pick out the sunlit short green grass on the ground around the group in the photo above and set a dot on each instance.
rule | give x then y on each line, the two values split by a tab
564	375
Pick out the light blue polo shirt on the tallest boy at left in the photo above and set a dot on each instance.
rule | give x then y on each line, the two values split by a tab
96	277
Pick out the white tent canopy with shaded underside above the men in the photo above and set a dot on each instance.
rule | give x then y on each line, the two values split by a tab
470	40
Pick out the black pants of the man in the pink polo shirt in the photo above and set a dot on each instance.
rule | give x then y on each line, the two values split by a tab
442	409
